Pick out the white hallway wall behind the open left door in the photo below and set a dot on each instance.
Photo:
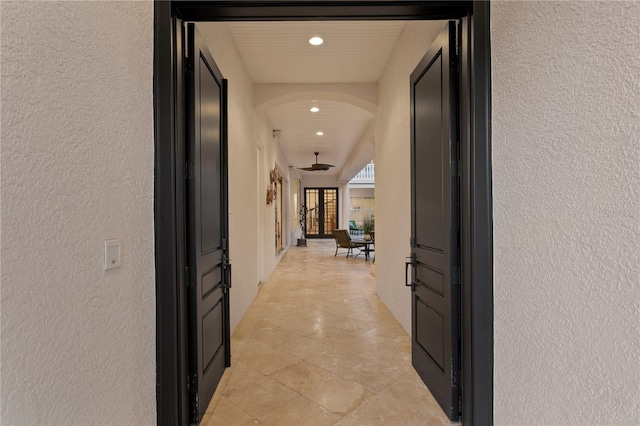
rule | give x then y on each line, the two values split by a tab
246	126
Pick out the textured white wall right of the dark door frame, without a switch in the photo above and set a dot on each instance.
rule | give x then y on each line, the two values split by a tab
566	131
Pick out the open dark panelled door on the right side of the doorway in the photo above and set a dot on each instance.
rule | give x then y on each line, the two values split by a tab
434	221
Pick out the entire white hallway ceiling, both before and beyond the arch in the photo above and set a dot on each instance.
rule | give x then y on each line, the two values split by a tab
352	52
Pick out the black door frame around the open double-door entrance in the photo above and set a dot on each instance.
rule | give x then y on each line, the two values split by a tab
475	198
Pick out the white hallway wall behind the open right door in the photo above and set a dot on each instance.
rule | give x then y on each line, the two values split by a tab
392	153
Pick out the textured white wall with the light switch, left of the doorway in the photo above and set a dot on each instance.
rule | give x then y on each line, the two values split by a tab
78	343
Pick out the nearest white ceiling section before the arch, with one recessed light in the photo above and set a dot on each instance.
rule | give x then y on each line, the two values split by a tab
279	52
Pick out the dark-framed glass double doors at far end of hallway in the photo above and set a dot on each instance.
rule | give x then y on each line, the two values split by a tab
322	212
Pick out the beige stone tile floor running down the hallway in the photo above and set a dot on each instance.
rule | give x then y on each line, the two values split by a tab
317	347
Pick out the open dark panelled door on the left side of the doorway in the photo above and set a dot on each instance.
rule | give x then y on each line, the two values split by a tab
209	271
